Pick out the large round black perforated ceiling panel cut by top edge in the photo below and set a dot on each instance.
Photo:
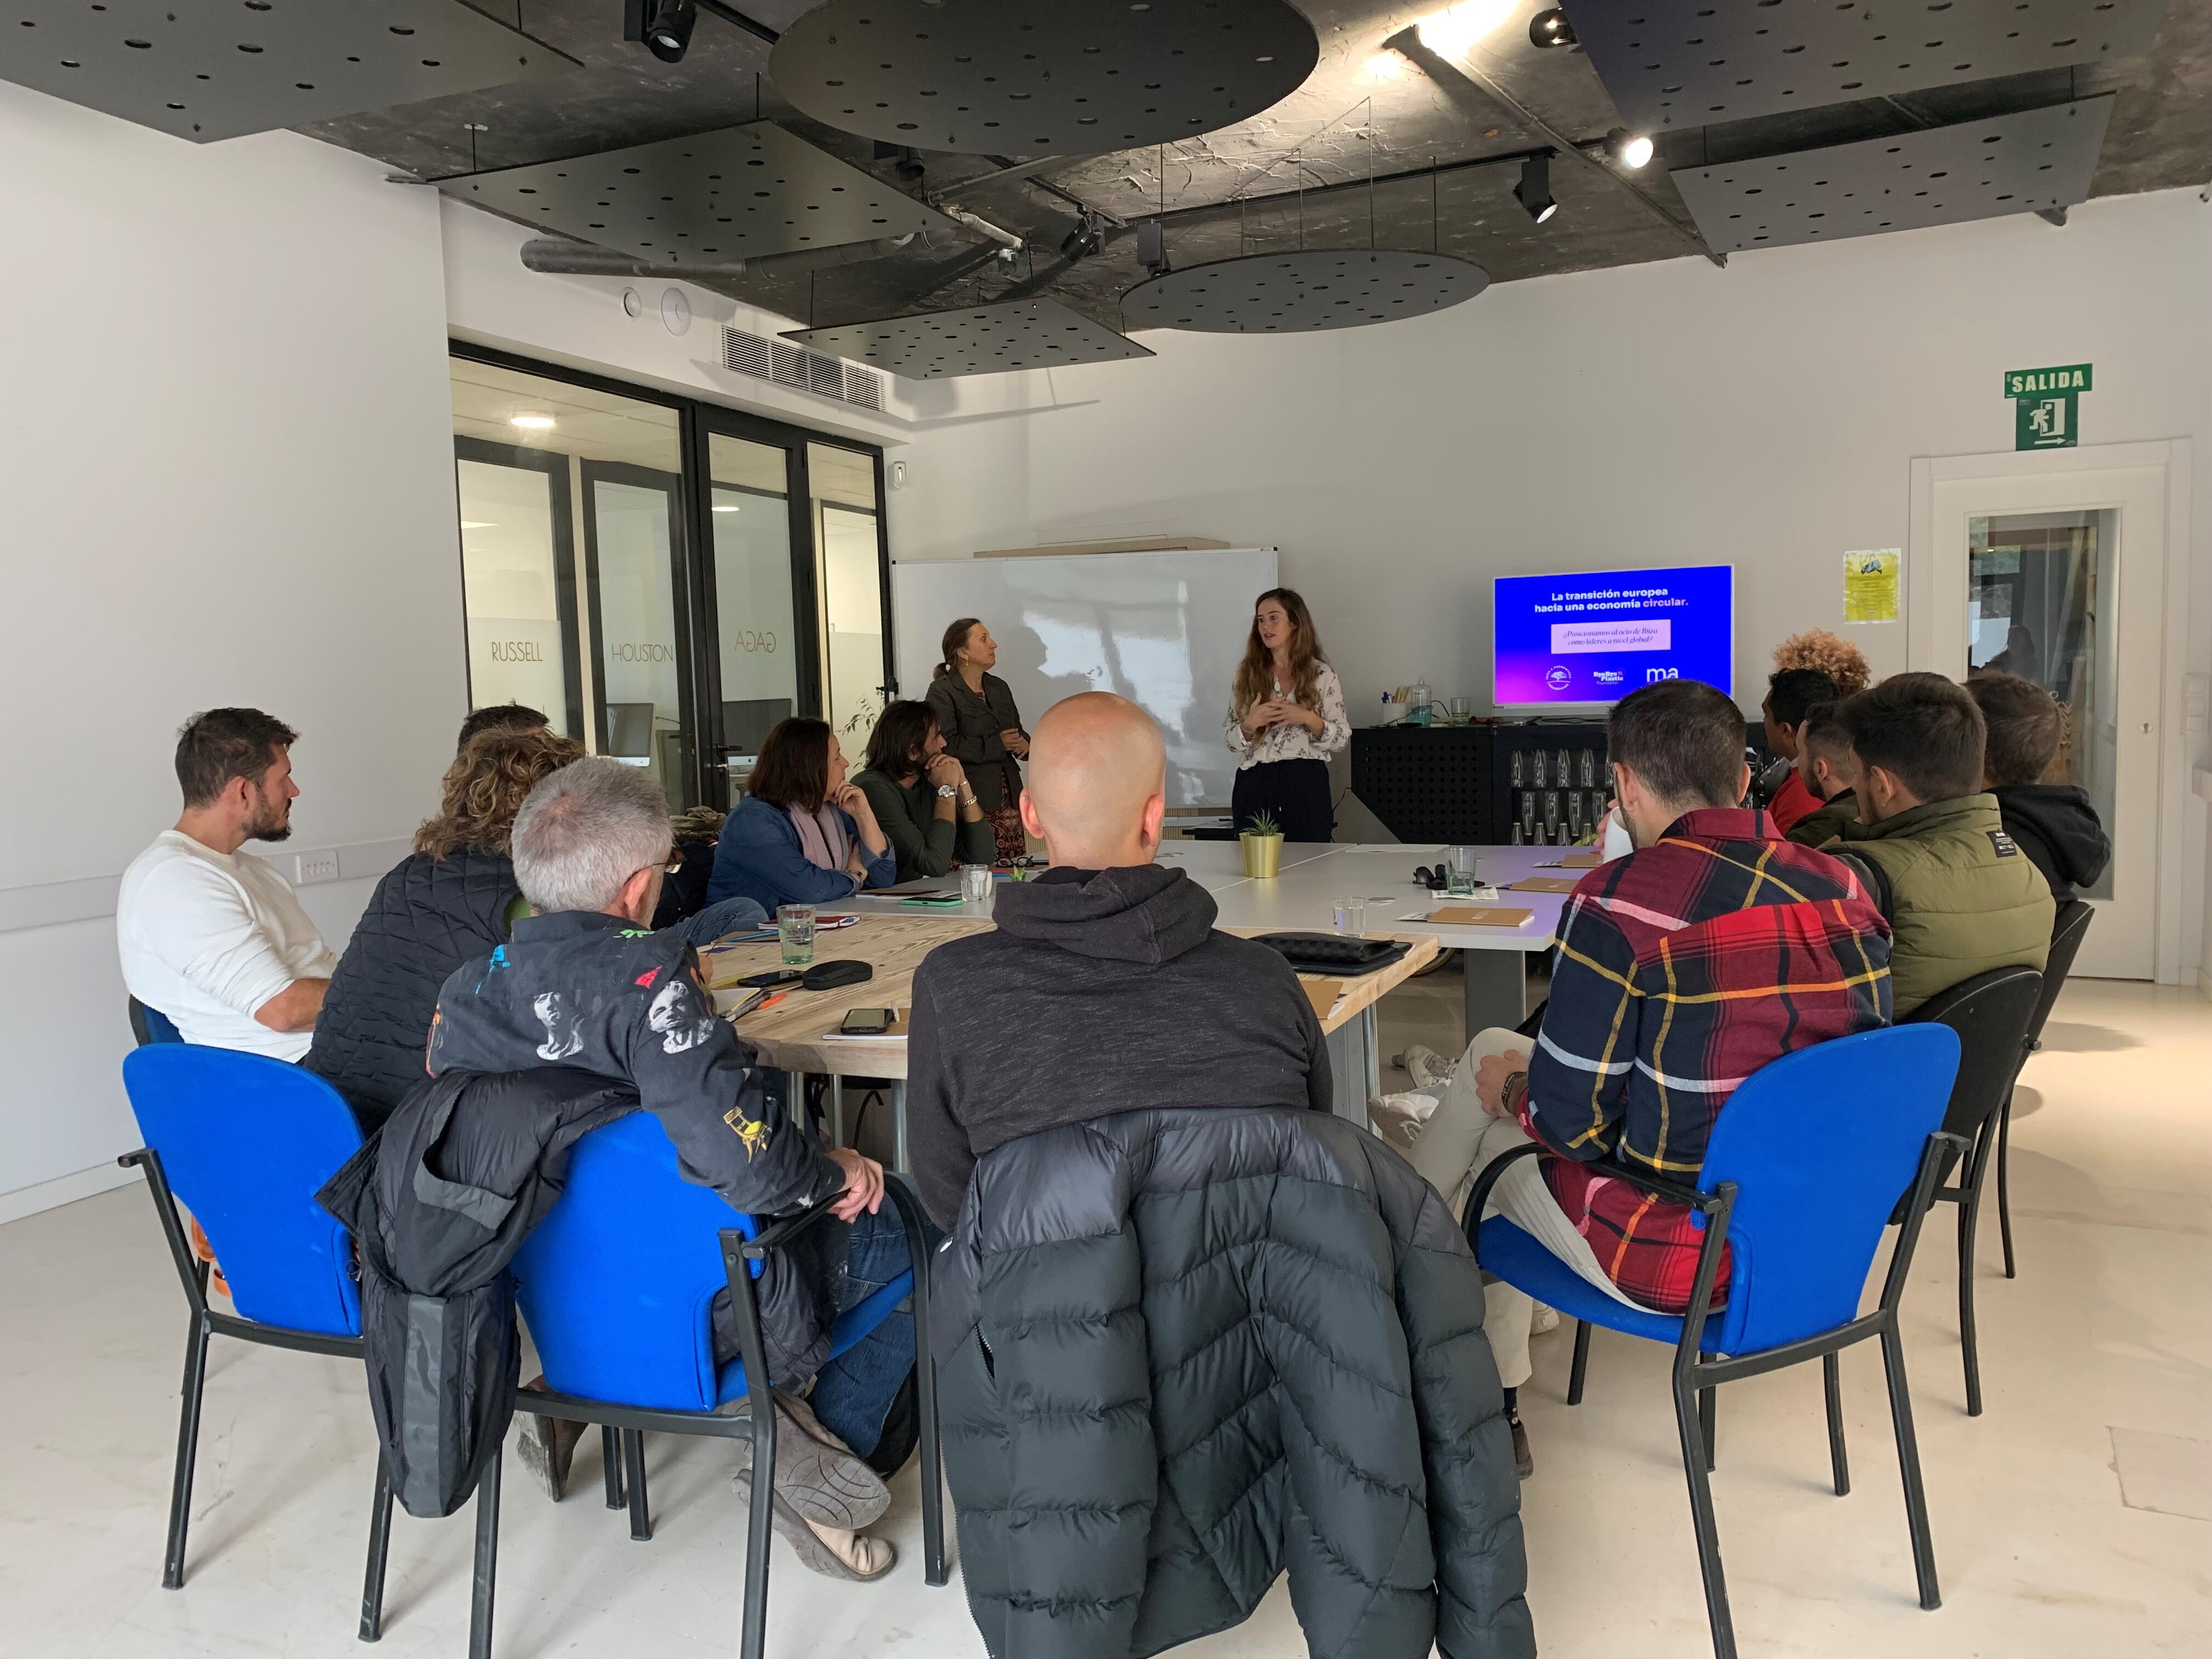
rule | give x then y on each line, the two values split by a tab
1061	79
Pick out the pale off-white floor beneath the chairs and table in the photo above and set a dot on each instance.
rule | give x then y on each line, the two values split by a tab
2098	1368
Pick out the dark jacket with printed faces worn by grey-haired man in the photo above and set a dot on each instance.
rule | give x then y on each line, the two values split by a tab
598	994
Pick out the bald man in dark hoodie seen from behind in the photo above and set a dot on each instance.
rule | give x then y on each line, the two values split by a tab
1105	988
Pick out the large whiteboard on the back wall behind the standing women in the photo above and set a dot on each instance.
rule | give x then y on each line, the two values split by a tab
1162	629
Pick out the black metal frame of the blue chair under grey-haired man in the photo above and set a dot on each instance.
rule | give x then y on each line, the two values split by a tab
760	1426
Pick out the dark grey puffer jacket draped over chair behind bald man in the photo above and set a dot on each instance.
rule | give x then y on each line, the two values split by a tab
1187	1350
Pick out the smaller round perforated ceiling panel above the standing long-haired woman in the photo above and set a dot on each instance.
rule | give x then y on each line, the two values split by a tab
1304	291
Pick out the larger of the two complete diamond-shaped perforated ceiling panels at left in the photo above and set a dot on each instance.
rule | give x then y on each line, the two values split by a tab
738	194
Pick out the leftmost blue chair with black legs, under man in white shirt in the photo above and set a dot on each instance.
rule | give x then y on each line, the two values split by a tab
247	1142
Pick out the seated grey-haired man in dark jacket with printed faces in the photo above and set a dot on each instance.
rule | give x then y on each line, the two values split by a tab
585	983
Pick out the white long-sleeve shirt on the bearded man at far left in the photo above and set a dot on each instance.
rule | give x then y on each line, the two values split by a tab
209	937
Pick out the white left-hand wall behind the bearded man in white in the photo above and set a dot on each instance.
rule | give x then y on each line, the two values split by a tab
225	479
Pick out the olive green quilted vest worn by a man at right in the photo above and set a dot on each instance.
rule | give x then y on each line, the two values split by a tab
1959	895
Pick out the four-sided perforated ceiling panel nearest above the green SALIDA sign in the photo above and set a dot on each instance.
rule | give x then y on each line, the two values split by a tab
1934	178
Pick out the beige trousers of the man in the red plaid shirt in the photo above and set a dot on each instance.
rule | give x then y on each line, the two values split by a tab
1454	1147
